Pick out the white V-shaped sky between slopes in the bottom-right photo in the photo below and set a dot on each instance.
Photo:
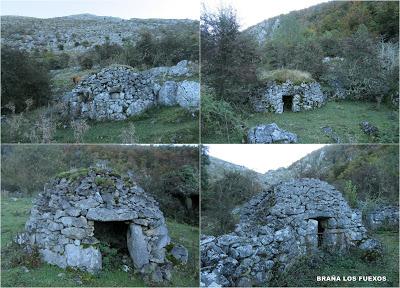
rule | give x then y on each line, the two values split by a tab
262	158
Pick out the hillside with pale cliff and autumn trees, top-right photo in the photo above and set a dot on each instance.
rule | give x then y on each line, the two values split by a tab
341	17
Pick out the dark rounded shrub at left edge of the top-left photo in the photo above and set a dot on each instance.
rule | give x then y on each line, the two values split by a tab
22	77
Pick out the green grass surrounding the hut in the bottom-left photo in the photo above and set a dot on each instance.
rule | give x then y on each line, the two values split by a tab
14	215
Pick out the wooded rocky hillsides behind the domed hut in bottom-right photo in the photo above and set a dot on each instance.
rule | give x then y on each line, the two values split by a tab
366	175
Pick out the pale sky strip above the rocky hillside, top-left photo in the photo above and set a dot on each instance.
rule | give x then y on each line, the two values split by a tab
126	9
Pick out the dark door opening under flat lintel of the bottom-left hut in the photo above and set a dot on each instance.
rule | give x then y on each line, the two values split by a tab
112	234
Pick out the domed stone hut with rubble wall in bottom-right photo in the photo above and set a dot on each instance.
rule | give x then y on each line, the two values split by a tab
289	220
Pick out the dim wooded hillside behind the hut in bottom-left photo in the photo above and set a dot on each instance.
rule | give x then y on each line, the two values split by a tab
169	173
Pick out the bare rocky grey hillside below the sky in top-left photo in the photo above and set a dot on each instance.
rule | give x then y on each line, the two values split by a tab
77	33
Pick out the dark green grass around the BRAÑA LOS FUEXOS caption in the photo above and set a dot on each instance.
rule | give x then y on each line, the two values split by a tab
305	272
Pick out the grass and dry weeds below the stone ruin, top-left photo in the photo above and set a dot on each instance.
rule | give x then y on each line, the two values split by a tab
157	125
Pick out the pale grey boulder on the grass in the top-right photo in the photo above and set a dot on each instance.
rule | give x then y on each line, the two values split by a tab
270	133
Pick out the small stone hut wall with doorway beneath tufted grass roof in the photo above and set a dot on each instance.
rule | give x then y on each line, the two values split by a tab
278	98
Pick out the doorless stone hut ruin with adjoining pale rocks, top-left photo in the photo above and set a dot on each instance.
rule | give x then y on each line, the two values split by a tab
118	92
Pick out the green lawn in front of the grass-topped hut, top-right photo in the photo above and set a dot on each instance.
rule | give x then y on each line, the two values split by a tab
344	117
